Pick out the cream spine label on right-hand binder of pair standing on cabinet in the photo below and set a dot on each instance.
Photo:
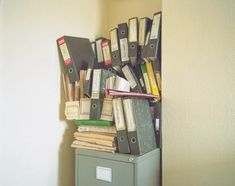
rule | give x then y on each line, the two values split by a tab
129	112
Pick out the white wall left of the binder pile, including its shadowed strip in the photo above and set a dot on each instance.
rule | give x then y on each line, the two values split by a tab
36	143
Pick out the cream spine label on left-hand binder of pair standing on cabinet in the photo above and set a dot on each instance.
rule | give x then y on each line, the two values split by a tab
118	114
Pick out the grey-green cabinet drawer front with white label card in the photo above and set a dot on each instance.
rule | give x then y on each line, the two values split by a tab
93	171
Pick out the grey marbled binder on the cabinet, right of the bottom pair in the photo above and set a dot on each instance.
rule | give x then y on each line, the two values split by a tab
140	128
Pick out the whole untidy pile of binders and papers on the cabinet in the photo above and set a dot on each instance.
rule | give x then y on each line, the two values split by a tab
115	83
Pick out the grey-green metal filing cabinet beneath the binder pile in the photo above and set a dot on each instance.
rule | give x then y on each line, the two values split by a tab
95	168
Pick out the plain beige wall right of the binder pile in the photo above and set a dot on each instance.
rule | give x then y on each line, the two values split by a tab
198	93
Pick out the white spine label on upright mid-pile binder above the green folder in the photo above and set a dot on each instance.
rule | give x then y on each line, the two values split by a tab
96	84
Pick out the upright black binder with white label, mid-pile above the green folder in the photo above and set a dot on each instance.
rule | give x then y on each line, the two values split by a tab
97	94
